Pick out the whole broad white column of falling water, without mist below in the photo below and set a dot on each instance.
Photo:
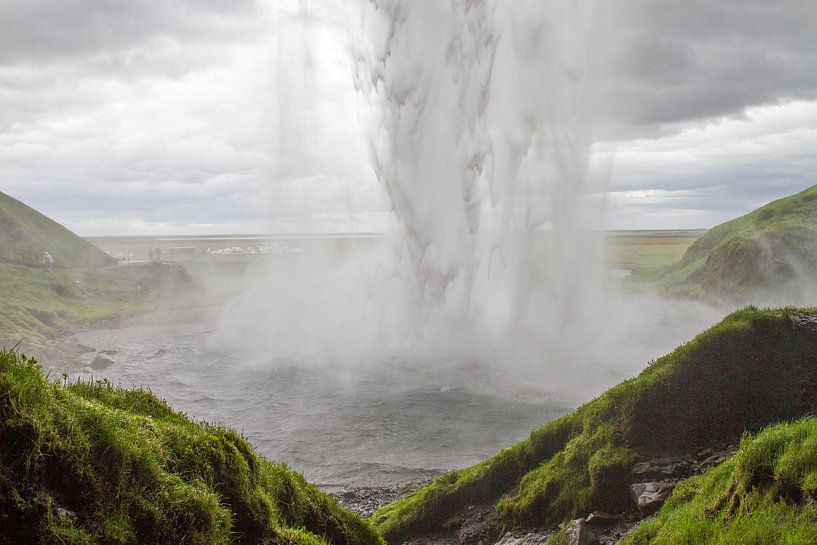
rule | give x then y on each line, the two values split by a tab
480	137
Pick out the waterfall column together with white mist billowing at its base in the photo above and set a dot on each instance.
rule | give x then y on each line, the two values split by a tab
480	119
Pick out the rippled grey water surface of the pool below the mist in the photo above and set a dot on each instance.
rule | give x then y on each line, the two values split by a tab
394	423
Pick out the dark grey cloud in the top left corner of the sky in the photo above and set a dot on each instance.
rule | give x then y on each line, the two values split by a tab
60	58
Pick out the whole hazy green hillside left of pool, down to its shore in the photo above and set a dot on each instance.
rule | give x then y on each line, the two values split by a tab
37	305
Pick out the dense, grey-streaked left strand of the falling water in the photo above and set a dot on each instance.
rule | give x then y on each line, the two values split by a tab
433	71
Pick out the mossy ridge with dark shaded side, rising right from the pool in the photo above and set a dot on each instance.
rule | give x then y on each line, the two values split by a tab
742	374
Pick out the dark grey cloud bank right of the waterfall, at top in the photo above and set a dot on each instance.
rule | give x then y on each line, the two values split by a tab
673	61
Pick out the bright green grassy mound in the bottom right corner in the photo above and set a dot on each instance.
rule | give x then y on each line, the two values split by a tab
766	493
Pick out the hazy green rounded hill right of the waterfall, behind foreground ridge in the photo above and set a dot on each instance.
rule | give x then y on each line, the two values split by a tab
769	255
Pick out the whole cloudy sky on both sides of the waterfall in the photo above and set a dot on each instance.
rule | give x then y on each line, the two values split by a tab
240	116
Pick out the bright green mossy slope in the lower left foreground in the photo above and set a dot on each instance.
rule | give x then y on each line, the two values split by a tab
134	471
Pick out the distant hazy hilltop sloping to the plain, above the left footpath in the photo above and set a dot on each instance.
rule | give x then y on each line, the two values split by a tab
25	234
